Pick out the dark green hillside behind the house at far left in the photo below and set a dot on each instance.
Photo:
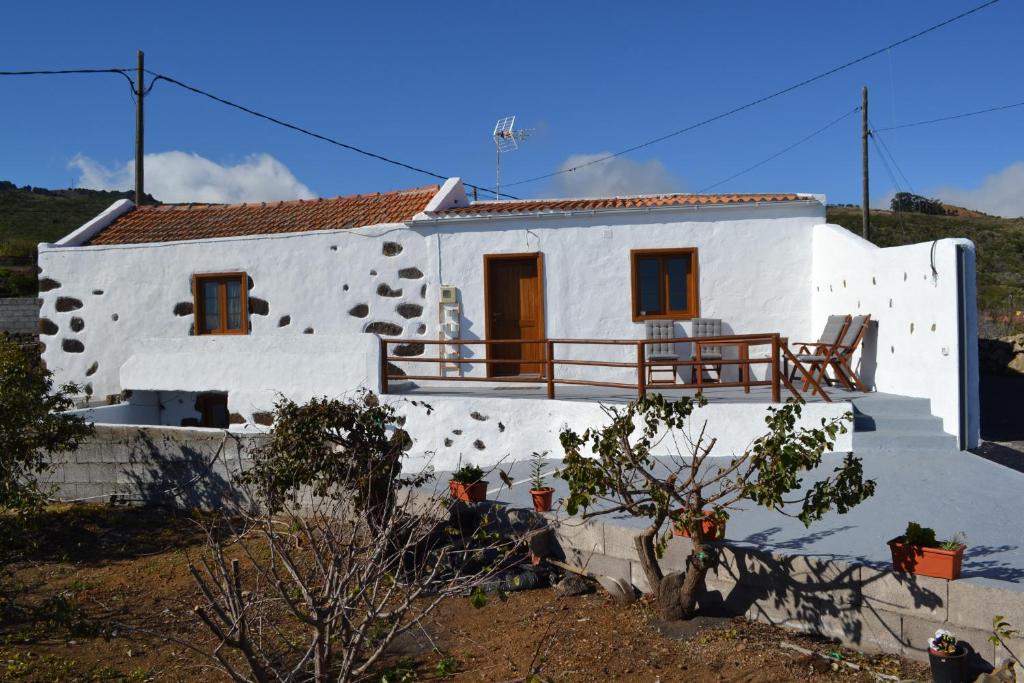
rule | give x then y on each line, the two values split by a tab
30	216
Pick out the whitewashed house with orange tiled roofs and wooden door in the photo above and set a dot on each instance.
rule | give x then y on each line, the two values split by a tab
205	314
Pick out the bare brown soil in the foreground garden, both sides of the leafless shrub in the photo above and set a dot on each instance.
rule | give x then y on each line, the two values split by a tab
107	593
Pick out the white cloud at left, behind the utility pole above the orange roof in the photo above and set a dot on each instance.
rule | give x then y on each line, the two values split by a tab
180	177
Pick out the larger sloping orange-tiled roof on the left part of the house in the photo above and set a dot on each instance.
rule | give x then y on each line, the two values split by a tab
173	223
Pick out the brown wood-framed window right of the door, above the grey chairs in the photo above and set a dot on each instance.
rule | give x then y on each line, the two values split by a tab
665	284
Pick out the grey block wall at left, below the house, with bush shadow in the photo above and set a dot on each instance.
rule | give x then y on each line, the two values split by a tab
191	468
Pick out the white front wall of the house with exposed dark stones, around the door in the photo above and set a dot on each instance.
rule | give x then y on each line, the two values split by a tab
754	263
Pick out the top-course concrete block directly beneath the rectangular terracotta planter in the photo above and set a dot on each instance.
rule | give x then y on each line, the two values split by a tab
922	597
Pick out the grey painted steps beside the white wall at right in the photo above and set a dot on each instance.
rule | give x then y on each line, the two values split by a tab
885	423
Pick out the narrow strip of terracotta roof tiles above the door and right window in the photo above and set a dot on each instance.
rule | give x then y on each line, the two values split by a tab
639	202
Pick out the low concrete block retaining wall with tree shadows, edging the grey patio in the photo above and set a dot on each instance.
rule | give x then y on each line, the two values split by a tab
866	608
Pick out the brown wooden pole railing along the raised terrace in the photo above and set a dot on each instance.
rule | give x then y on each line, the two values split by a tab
779	360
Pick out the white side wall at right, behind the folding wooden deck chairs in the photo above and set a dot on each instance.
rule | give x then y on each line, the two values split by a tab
914	348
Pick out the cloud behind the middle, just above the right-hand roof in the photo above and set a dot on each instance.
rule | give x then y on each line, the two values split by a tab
615	178
